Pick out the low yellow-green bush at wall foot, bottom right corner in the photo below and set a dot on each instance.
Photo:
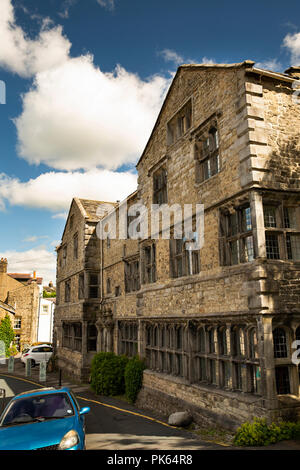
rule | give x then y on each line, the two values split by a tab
258	433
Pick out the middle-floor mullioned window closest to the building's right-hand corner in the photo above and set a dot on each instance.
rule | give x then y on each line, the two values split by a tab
236	239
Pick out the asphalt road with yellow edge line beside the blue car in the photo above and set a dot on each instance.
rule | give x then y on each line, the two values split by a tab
114	425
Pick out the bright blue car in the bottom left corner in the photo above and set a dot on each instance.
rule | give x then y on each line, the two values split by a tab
44	419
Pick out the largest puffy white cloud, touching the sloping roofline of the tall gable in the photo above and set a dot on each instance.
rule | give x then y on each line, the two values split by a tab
76	116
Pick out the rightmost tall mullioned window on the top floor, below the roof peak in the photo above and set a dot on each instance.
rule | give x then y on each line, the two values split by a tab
207	155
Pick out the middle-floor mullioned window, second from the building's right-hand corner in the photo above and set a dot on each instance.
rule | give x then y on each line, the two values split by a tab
183	262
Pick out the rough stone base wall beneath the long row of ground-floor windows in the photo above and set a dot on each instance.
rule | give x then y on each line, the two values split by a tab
207	405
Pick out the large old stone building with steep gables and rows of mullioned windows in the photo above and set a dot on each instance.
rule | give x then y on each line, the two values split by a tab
217	325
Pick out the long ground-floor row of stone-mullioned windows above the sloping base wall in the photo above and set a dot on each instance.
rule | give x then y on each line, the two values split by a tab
239	373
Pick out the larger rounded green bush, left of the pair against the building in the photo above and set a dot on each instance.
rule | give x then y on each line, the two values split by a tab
107	374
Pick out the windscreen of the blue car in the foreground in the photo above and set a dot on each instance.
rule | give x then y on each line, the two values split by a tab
38	408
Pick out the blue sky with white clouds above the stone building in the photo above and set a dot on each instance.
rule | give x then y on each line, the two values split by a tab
84	83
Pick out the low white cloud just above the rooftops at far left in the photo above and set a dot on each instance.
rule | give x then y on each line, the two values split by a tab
37	259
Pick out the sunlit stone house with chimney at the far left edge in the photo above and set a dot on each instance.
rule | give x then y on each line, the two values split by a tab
22	297
